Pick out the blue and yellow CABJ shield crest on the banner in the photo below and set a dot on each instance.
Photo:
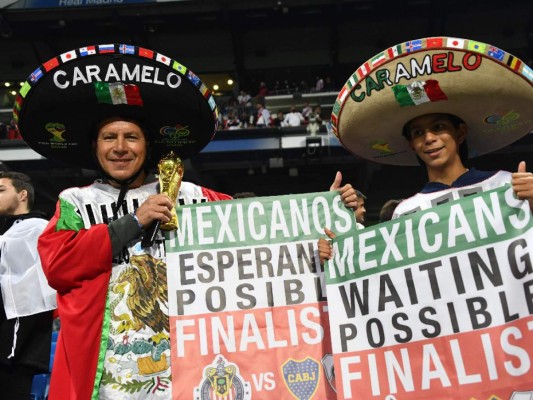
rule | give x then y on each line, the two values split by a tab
301	377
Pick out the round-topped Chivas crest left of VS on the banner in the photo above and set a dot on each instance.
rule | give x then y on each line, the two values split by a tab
221	381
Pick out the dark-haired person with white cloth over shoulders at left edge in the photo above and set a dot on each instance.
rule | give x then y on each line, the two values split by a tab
27	301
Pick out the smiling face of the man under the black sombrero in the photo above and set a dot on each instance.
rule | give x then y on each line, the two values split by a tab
120	148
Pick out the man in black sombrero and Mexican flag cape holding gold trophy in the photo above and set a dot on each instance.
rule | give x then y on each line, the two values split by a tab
118	108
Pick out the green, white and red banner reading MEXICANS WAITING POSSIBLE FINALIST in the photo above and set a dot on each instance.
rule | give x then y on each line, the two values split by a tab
437	304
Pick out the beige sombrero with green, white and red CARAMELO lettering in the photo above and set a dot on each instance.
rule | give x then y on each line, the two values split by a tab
488	88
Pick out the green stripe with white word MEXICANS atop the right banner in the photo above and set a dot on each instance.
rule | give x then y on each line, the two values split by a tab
474	221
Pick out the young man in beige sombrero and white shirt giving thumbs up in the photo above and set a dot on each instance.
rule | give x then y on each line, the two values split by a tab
436	101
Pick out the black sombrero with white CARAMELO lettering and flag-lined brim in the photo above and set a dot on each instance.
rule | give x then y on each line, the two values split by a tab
61	102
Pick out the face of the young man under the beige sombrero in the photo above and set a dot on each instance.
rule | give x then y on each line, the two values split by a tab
436	140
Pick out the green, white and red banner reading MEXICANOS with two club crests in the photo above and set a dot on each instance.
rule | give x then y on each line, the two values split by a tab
246	294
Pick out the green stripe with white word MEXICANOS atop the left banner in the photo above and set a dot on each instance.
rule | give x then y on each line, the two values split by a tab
258	221
